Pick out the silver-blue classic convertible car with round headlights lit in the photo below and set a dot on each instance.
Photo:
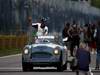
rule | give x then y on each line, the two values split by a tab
47	51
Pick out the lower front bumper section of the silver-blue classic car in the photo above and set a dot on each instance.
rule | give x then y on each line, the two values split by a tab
53	61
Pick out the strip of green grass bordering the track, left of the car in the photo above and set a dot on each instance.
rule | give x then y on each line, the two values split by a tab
5	52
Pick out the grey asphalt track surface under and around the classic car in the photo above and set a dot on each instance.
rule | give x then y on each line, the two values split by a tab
11	65
